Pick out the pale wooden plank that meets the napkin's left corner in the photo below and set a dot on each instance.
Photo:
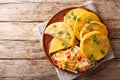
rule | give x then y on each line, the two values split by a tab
17	31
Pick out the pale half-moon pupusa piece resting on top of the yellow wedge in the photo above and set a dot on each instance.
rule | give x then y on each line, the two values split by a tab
61	31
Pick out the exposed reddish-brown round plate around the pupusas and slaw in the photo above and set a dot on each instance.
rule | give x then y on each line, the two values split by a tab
59	17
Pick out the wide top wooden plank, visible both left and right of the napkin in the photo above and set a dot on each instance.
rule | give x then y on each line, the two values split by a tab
43	11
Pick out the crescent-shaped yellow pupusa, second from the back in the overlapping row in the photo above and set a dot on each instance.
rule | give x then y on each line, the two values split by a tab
84	17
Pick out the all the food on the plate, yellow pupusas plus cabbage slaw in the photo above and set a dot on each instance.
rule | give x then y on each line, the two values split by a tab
79	25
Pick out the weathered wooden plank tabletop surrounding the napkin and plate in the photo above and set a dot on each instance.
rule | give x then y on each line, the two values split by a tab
21	56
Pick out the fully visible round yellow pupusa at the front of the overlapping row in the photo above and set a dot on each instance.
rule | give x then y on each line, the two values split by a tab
94	45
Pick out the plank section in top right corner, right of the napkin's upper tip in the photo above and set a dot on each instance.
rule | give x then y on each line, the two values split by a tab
110	10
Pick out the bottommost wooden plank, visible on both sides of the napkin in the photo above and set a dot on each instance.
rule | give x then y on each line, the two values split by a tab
32	69
